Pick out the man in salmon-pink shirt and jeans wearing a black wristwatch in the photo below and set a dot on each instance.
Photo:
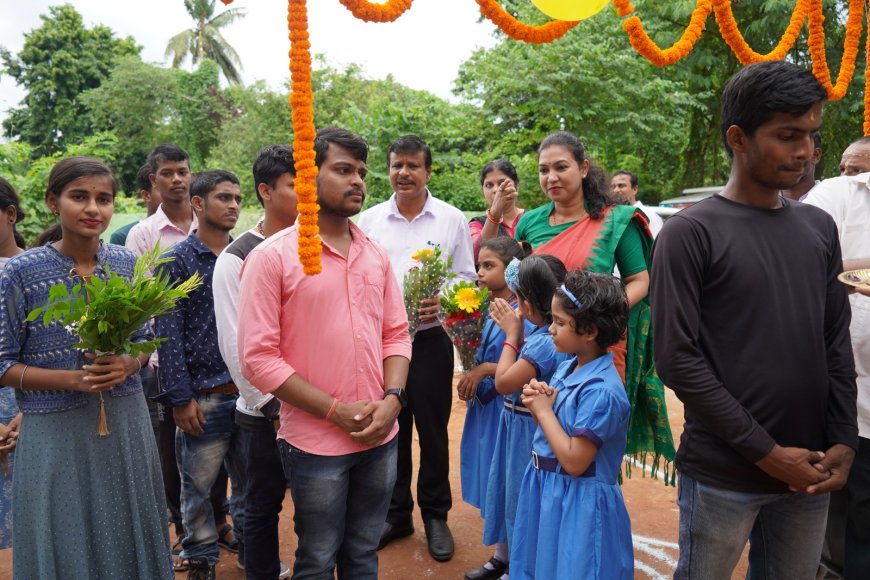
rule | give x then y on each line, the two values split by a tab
335	349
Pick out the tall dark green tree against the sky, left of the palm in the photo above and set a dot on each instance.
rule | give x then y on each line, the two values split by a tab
59	60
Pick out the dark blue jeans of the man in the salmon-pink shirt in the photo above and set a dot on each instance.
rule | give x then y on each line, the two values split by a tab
340	505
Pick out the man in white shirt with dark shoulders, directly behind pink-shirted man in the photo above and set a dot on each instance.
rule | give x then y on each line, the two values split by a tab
264	486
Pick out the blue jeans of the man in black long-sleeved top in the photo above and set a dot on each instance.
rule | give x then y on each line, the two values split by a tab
785	532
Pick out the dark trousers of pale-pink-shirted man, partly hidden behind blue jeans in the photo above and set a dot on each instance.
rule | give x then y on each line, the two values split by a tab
172	480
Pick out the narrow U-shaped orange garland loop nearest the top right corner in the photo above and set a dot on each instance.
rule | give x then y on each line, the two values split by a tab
850	48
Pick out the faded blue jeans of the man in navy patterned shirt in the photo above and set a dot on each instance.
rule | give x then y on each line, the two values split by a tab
199	461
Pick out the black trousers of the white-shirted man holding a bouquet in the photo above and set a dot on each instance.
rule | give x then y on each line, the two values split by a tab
430	397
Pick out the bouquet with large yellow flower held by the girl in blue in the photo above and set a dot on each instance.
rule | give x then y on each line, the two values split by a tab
464	308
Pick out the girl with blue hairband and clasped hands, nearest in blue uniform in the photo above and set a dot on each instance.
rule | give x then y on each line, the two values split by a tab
571	518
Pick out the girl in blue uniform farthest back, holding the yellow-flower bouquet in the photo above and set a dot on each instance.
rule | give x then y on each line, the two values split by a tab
477	386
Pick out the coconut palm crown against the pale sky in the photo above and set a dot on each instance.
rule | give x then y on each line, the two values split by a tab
205	40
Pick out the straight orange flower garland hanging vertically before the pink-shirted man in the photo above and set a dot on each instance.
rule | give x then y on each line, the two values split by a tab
302	104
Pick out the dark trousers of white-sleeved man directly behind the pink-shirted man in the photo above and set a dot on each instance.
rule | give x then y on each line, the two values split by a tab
264	493
